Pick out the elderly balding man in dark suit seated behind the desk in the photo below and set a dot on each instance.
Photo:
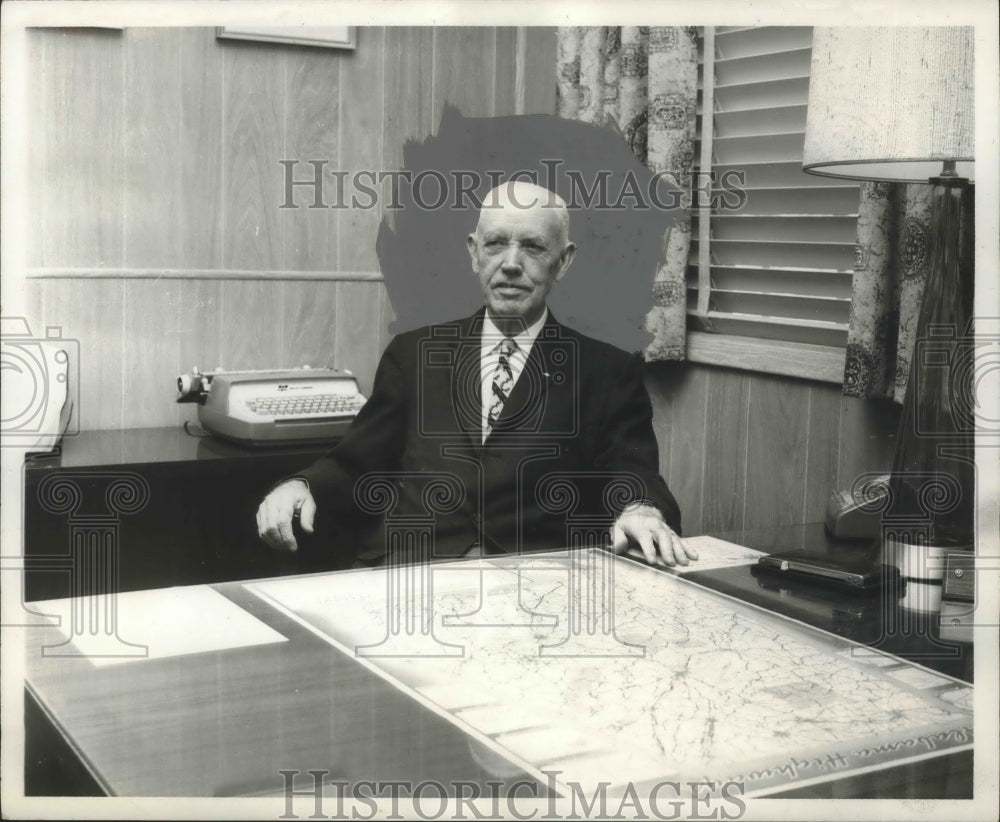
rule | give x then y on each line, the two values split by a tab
536	425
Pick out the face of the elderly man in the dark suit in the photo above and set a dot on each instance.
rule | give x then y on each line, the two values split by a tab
518	254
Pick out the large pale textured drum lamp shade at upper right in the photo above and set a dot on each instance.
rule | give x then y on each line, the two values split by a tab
890	103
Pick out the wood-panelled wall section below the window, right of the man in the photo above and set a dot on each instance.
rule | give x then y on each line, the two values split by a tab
746	450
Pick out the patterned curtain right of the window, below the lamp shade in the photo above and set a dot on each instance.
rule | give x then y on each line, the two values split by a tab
890	266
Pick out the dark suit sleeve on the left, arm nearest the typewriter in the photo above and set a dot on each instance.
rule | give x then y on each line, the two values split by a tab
374	442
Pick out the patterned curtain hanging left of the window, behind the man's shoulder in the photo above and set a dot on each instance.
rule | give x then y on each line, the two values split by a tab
643	80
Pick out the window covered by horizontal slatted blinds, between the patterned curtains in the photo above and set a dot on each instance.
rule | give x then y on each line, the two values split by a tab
769	283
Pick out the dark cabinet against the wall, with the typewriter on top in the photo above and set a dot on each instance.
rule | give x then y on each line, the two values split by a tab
196	524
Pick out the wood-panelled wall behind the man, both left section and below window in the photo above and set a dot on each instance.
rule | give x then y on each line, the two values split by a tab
157	149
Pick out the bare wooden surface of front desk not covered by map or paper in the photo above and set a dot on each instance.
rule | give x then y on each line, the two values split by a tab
226	722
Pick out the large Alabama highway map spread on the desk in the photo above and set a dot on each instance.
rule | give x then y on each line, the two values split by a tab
604	670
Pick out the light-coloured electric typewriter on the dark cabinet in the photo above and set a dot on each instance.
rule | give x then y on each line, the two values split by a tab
273	407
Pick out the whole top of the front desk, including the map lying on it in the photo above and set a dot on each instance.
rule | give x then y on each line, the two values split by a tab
303	693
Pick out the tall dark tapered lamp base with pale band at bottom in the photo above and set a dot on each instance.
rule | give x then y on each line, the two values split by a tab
932	486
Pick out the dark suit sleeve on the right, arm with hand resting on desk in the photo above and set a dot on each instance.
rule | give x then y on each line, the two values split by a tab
628	442
